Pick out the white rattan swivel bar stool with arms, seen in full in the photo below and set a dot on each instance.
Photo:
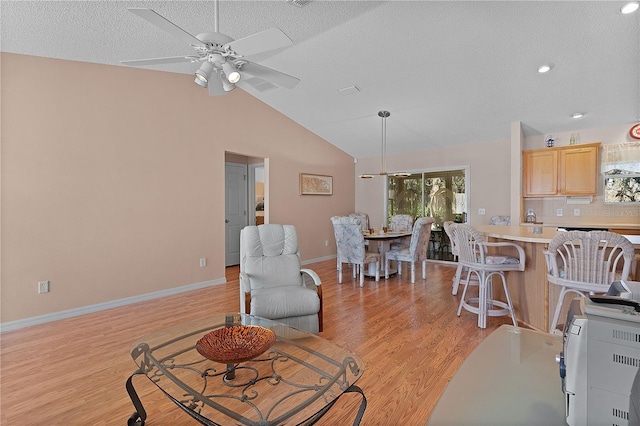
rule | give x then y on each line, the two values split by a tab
477	256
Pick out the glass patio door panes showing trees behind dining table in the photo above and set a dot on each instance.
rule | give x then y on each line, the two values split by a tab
440	194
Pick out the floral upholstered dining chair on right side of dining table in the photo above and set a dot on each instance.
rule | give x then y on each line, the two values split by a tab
416	252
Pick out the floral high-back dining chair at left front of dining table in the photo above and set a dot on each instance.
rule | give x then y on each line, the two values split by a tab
351	248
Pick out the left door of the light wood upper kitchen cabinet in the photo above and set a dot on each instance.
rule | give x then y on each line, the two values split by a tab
540	173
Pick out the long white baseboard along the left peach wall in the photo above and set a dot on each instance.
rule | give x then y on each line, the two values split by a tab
54	316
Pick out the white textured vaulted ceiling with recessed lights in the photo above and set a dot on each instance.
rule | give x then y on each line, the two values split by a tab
449	72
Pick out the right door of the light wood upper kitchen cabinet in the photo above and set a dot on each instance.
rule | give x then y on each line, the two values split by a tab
578	170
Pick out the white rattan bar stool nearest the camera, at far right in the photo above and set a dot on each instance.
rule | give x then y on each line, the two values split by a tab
586	262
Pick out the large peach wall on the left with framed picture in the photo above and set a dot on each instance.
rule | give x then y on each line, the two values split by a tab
113	181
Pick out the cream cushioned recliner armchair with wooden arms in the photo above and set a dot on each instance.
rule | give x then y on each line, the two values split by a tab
272	283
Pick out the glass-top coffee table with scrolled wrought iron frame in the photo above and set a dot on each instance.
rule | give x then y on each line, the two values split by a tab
295	381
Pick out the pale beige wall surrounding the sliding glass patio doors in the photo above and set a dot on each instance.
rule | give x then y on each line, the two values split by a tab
489	171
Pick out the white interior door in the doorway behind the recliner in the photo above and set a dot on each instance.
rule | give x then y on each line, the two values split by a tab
235	210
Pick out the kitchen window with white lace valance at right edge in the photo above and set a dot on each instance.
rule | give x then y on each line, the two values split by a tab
621	170
